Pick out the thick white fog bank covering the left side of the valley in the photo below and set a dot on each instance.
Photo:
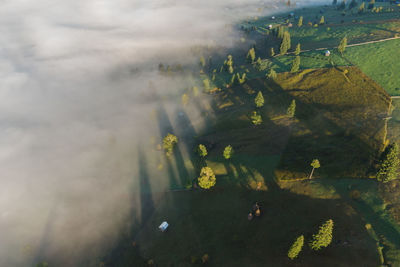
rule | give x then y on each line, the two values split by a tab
78	117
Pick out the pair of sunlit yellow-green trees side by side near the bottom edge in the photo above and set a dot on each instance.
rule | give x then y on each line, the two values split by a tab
320	240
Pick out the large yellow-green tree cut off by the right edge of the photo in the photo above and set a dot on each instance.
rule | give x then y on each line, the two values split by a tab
390	164
